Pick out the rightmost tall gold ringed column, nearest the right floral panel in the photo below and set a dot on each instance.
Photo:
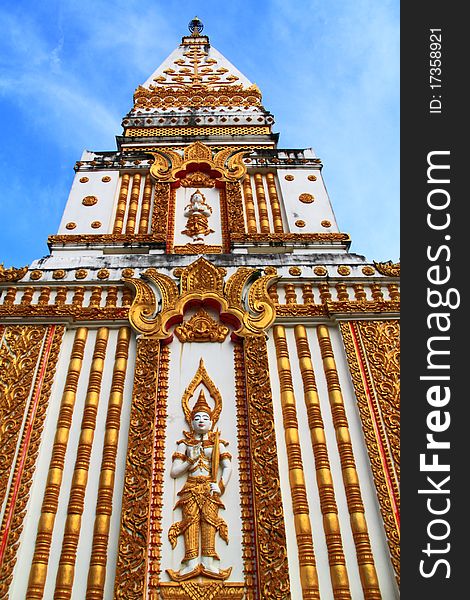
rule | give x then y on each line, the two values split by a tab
365	558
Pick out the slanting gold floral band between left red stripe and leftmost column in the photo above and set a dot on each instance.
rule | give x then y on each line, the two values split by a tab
15	508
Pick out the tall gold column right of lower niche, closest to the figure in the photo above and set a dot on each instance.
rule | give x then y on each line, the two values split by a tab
303	529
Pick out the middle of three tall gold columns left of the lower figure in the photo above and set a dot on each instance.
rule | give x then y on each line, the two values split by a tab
66	571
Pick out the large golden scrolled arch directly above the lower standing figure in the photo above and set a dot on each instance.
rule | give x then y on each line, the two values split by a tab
243	301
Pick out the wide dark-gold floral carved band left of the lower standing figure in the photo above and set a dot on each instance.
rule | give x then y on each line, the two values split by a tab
132	563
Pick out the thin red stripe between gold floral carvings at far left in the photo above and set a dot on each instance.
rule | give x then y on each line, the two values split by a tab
27	436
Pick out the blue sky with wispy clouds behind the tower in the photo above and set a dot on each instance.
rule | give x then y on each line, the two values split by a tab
329	72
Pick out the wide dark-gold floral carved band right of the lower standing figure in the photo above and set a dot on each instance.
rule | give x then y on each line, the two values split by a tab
271	549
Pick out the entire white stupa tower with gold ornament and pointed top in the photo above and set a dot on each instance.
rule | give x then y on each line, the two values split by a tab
199	389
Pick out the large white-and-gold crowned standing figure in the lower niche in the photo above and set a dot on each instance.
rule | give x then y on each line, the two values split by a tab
201	455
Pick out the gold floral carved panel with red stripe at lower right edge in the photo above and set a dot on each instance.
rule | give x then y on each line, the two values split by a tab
372	349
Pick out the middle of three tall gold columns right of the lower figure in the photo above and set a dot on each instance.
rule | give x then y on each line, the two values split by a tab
331	527
